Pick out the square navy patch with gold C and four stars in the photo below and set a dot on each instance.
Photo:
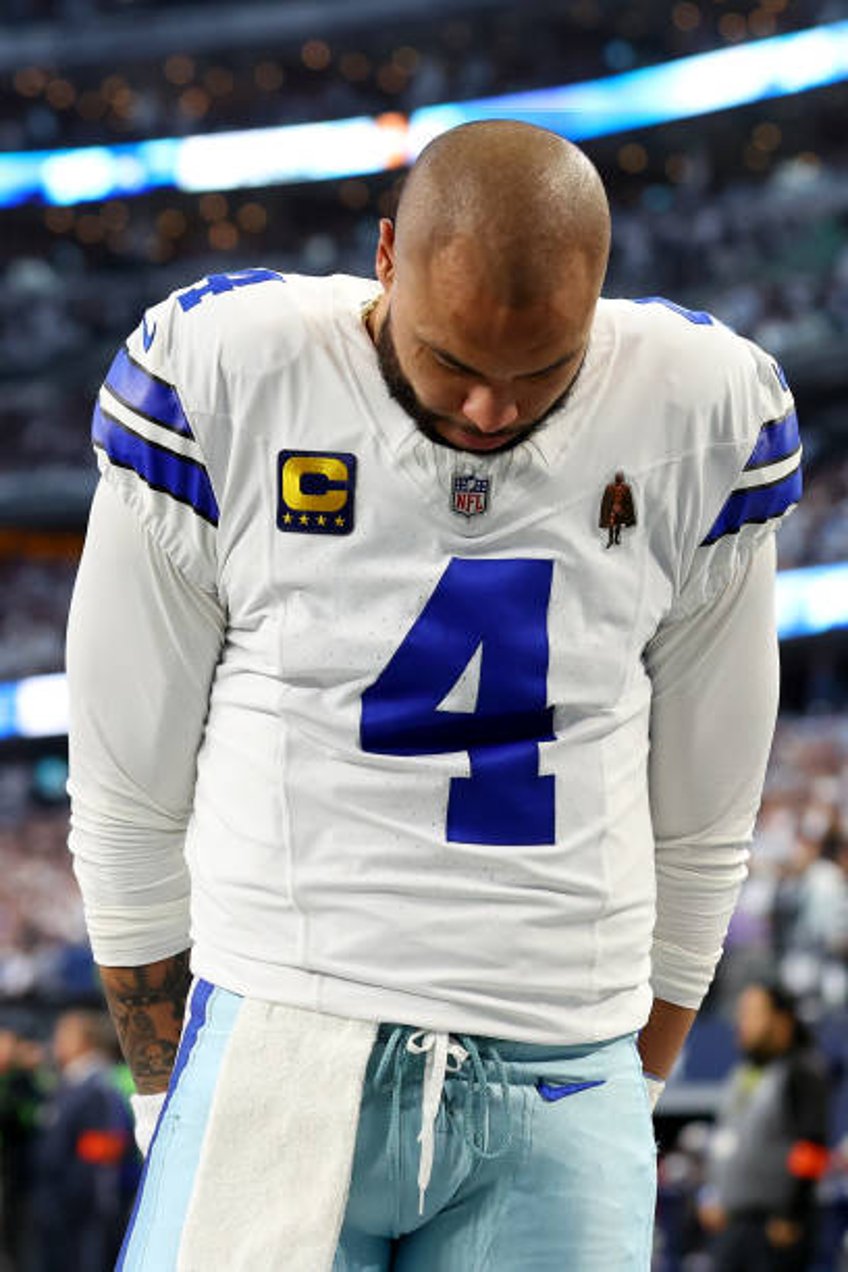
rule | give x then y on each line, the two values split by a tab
316	492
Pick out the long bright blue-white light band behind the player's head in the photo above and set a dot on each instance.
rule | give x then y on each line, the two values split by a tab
345	148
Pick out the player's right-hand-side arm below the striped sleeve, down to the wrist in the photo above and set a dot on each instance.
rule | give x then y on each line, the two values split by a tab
715	681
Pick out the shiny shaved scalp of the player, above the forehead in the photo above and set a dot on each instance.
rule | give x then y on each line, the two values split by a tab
509	202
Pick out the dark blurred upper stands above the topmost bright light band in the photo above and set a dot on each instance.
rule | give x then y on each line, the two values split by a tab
273	72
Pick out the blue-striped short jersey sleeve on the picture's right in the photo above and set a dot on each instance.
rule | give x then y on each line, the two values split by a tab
761	478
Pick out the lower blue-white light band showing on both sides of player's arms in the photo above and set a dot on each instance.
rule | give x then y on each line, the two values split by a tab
809	602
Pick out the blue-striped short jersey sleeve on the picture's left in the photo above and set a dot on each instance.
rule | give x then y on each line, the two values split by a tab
147	433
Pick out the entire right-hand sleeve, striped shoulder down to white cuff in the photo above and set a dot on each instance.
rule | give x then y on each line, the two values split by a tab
714	666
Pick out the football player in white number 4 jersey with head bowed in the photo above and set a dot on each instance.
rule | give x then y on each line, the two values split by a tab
448	791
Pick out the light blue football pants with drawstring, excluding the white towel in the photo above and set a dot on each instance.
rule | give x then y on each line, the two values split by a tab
544	1158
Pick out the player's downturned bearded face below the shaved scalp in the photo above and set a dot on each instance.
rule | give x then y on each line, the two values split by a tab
477	371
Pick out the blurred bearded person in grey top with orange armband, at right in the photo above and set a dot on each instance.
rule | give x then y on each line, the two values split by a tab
770	1145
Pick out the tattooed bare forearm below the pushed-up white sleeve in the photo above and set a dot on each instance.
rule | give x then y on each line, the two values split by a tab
147	1006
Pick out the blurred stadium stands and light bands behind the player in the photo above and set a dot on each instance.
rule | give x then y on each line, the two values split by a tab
146	144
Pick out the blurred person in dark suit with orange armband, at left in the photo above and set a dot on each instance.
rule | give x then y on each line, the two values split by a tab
86	1158
